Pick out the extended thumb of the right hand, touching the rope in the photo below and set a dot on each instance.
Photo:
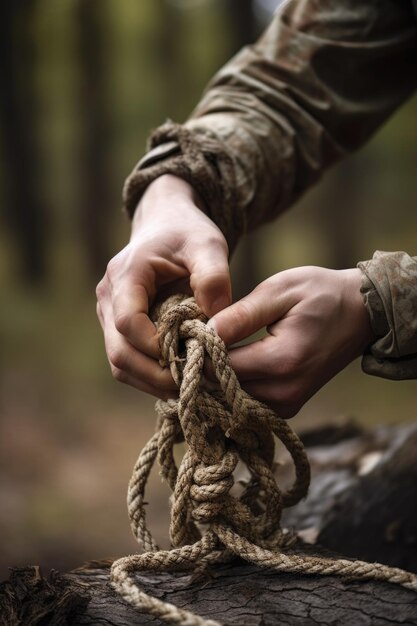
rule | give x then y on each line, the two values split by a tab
260	308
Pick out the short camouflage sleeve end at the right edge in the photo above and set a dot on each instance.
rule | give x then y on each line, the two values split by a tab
389	287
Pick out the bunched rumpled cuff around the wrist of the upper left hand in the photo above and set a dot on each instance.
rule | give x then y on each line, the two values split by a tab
197	158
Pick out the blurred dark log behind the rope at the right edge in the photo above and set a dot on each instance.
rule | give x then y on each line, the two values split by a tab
363	496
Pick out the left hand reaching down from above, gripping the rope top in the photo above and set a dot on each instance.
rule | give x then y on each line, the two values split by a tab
174	247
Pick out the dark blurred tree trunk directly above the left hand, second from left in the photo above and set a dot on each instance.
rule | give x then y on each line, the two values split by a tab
97	202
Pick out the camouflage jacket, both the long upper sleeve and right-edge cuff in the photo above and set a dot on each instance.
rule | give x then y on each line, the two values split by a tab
323	77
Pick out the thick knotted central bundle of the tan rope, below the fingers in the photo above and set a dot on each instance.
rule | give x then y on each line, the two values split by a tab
221	425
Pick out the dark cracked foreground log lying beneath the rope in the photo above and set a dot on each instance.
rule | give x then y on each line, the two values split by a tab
234	594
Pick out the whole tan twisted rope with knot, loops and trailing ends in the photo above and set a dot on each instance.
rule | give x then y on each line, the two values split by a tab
221	426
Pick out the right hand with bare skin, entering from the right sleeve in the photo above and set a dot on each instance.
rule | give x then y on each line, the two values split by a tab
317	324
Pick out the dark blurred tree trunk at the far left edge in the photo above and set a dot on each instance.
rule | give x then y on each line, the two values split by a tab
23	204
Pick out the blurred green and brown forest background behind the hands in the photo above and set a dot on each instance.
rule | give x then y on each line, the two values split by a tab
83	82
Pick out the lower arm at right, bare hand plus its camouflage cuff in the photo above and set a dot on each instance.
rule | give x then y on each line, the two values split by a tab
318	323
